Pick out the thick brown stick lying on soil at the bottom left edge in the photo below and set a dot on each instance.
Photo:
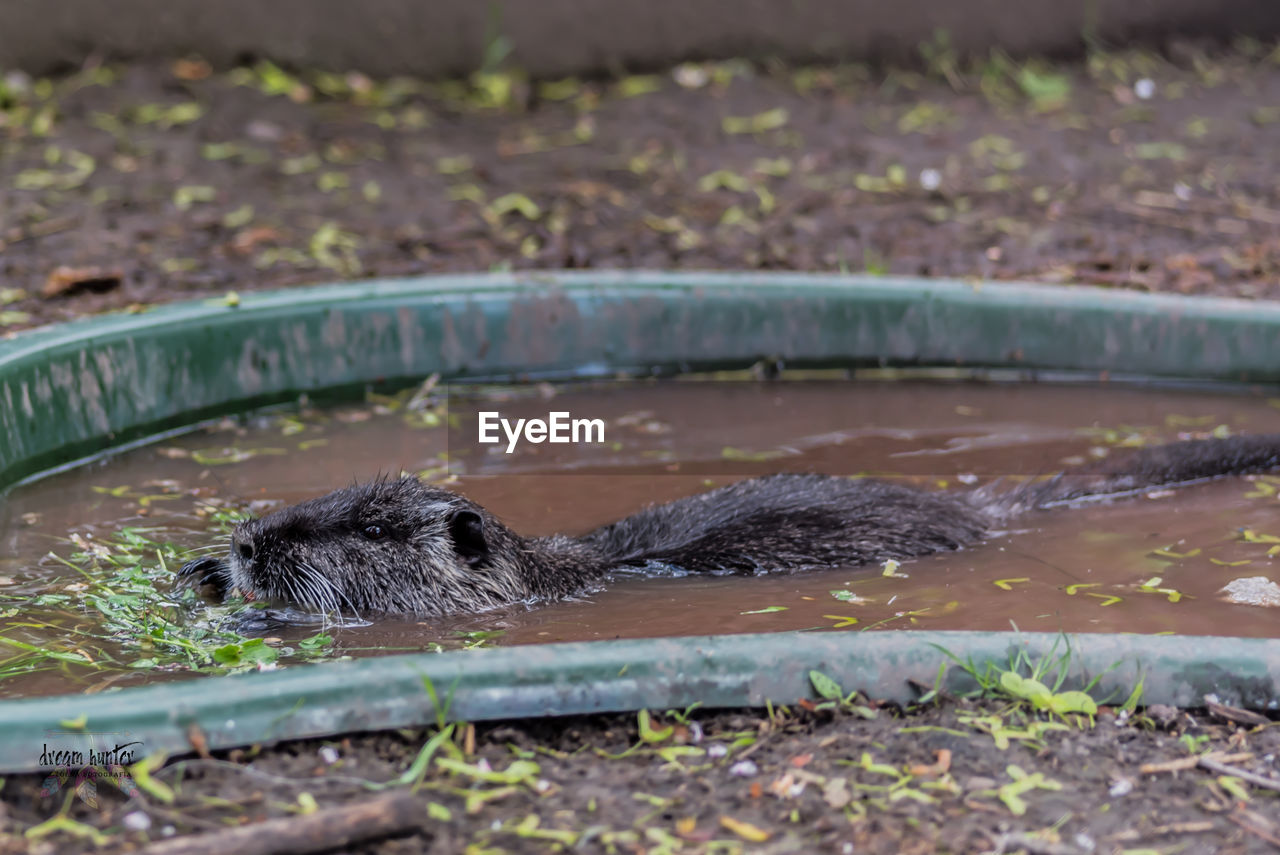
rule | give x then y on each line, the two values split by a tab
335	829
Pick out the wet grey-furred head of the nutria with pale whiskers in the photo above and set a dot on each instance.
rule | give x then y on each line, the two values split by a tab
385	547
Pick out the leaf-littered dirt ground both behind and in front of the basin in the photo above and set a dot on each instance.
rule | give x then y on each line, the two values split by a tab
124	188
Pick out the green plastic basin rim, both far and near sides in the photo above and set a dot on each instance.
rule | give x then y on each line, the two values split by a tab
86	387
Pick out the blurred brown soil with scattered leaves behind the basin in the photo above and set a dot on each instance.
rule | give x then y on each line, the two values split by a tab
121	188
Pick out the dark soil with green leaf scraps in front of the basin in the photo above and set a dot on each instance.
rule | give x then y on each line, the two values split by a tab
924	781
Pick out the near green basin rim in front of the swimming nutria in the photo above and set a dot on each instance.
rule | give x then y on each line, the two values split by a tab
615	676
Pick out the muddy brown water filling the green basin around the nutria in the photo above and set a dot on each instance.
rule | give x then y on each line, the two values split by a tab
1144	565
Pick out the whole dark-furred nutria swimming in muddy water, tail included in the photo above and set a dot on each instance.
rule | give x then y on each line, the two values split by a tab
404	547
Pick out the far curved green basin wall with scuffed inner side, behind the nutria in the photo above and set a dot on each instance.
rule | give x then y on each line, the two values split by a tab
85	387
